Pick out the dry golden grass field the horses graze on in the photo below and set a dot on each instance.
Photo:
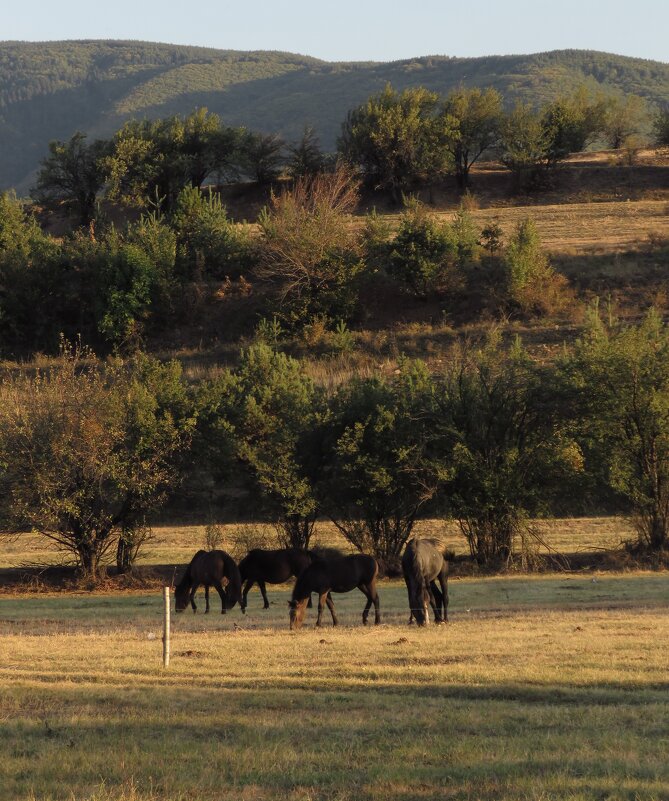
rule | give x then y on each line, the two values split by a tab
541	687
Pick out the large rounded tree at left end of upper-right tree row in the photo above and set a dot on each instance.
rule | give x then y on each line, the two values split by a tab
393	138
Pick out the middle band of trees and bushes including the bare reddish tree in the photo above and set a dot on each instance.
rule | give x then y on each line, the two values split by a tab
306	259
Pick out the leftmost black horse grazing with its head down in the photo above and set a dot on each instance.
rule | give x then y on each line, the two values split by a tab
211	568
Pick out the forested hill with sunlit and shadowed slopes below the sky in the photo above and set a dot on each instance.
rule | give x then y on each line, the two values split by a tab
50	90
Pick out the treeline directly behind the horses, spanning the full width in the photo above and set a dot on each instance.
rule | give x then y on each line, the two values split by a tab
90	449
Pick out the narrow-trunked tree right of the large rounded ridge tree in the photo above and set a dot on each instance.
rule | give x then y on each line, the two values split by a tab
470	120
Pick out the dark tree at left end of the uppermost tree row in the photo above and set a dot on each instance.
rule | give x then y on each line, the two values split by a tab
72	174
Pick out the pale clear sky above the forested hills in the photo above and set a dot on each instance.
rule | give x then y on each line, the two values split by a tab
356	30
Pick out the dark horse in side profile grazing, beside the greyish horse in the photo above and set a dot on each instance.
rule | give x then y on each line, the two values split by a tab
342	574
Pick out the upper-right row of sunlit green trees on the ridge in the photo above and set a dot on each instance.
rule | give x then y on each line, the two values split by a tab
401	138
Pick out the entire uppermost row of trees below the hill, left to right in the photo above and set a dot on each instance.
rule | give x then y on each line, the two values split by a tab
396	139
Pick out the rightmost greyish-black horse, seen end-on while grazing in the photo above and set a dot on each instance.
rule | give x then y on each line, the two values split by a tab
423	564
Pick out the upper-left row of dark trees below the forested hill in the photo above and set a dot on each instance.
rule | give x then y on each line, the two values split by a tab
148	163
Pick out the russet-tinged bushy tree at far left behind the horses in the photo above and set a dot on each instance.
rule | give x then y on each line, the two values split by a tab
88	452
